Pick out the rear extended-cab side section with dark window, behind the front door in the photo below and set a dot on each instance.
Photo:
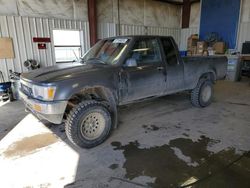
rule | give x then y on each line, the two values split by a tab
174	68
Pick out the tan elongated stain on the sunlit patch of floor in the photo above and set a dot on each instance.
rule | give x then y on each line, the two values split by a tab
30	145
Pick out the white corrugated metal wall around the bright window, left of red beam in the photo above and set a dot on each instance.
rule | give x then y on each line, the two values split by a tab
23	29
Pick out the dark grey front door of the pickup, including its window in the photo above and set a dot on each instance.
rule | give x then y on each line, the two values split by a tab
143	72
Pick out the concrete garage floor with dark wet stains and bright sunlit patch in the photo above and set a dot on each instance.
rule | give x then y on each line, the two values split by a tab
163	142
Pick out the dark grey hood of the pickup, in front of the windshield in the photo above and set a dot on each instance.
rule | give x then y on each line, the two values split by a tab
61	72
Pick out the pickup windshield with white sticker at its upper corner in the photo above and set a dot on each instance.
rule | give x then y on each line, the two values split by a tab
106	51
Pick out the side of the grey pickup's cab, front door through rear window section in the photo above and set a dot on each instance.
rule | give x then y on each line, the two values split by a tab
150	67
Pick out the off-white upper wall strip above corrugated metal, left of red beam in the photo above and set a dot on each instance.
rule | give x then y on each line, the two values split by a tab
61	9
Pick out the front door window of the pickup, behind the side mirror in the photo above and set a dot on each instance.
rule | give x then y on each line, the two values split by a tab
146	51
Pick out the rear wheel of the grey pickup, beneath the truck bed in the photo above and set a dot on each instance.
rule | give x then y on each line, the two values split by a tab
201	95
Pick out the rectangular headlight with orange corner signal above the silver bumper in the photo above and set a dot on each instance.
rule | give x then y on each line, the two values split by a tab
46	93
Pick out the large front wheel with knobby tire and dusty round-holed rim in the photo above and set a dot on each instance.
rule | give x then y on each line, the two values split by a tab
88	124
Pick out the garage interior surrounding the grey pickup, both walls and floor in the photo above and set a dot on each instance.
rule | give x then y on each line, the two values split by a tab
162	142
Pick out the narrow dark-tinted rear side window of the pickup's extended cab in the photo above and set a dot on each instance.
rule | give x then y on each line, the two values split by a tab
169	51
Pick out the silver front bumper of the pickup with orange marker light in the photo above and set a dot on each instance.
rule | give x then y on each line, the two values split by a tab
50	111
